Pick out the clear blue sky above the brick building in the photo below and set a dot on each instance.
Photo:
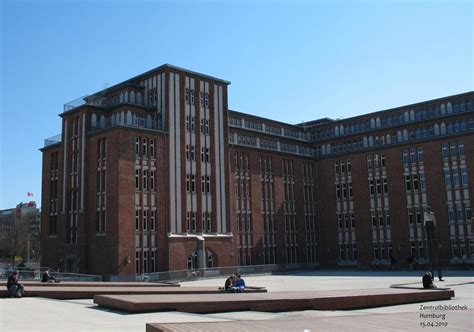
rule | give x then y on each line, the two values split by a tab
290	61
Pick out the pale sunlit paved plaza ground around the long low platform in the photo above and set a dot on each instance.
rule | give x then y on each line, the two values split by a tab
39	314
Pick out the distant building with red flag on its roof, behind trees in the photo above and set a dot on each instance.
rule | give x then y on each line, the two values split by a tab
19	232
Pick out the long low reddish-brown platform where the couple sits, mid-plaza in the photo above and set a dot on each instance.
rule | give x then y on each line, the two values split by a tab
272	302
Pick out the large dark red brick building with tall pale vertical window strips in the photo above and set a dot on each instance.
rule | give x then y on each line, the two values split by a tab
156	174
